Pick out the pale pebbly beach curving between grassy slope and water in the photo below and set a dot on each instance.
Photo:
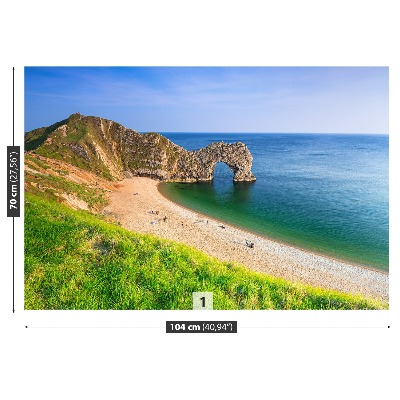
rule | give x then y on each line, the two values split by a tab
138	206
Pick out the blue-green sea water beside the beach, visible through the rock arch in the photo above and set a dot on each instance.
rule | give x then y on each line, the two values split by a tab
326	193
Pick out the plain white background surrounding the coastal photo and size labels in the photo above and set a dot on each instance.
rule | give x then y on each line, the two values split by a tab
127	354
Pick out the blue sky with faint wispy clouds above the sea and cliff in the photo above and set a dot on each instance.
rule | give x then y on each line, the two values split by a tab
214	99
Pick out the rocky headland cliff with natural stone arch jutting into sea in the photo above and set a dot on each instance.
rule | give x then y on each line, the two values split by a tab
113	151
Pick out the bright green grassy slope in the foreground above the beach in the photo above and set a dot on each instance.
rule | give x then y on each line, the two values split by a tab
74	260
